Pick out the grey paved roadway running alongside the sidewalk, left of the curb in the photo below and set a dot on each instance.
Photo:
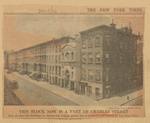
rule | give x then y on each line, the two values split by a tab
31	94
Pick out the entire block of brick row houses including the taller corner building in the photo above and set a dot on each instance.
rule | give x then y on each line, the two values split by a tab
98	62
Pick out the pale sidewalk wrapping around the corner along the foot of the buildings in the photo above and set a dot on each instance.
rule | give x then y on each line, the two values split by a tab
82	100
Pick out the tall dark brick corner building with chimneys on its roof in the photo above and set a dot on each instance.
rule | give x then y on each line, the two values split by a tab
108	60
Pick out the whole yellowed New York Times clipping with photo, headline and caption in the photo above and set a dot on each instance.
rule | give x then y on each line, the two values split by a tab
73	62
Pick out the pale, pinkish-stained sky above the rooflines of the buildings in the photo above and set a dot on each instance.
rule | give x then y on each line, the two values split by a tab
21	31
